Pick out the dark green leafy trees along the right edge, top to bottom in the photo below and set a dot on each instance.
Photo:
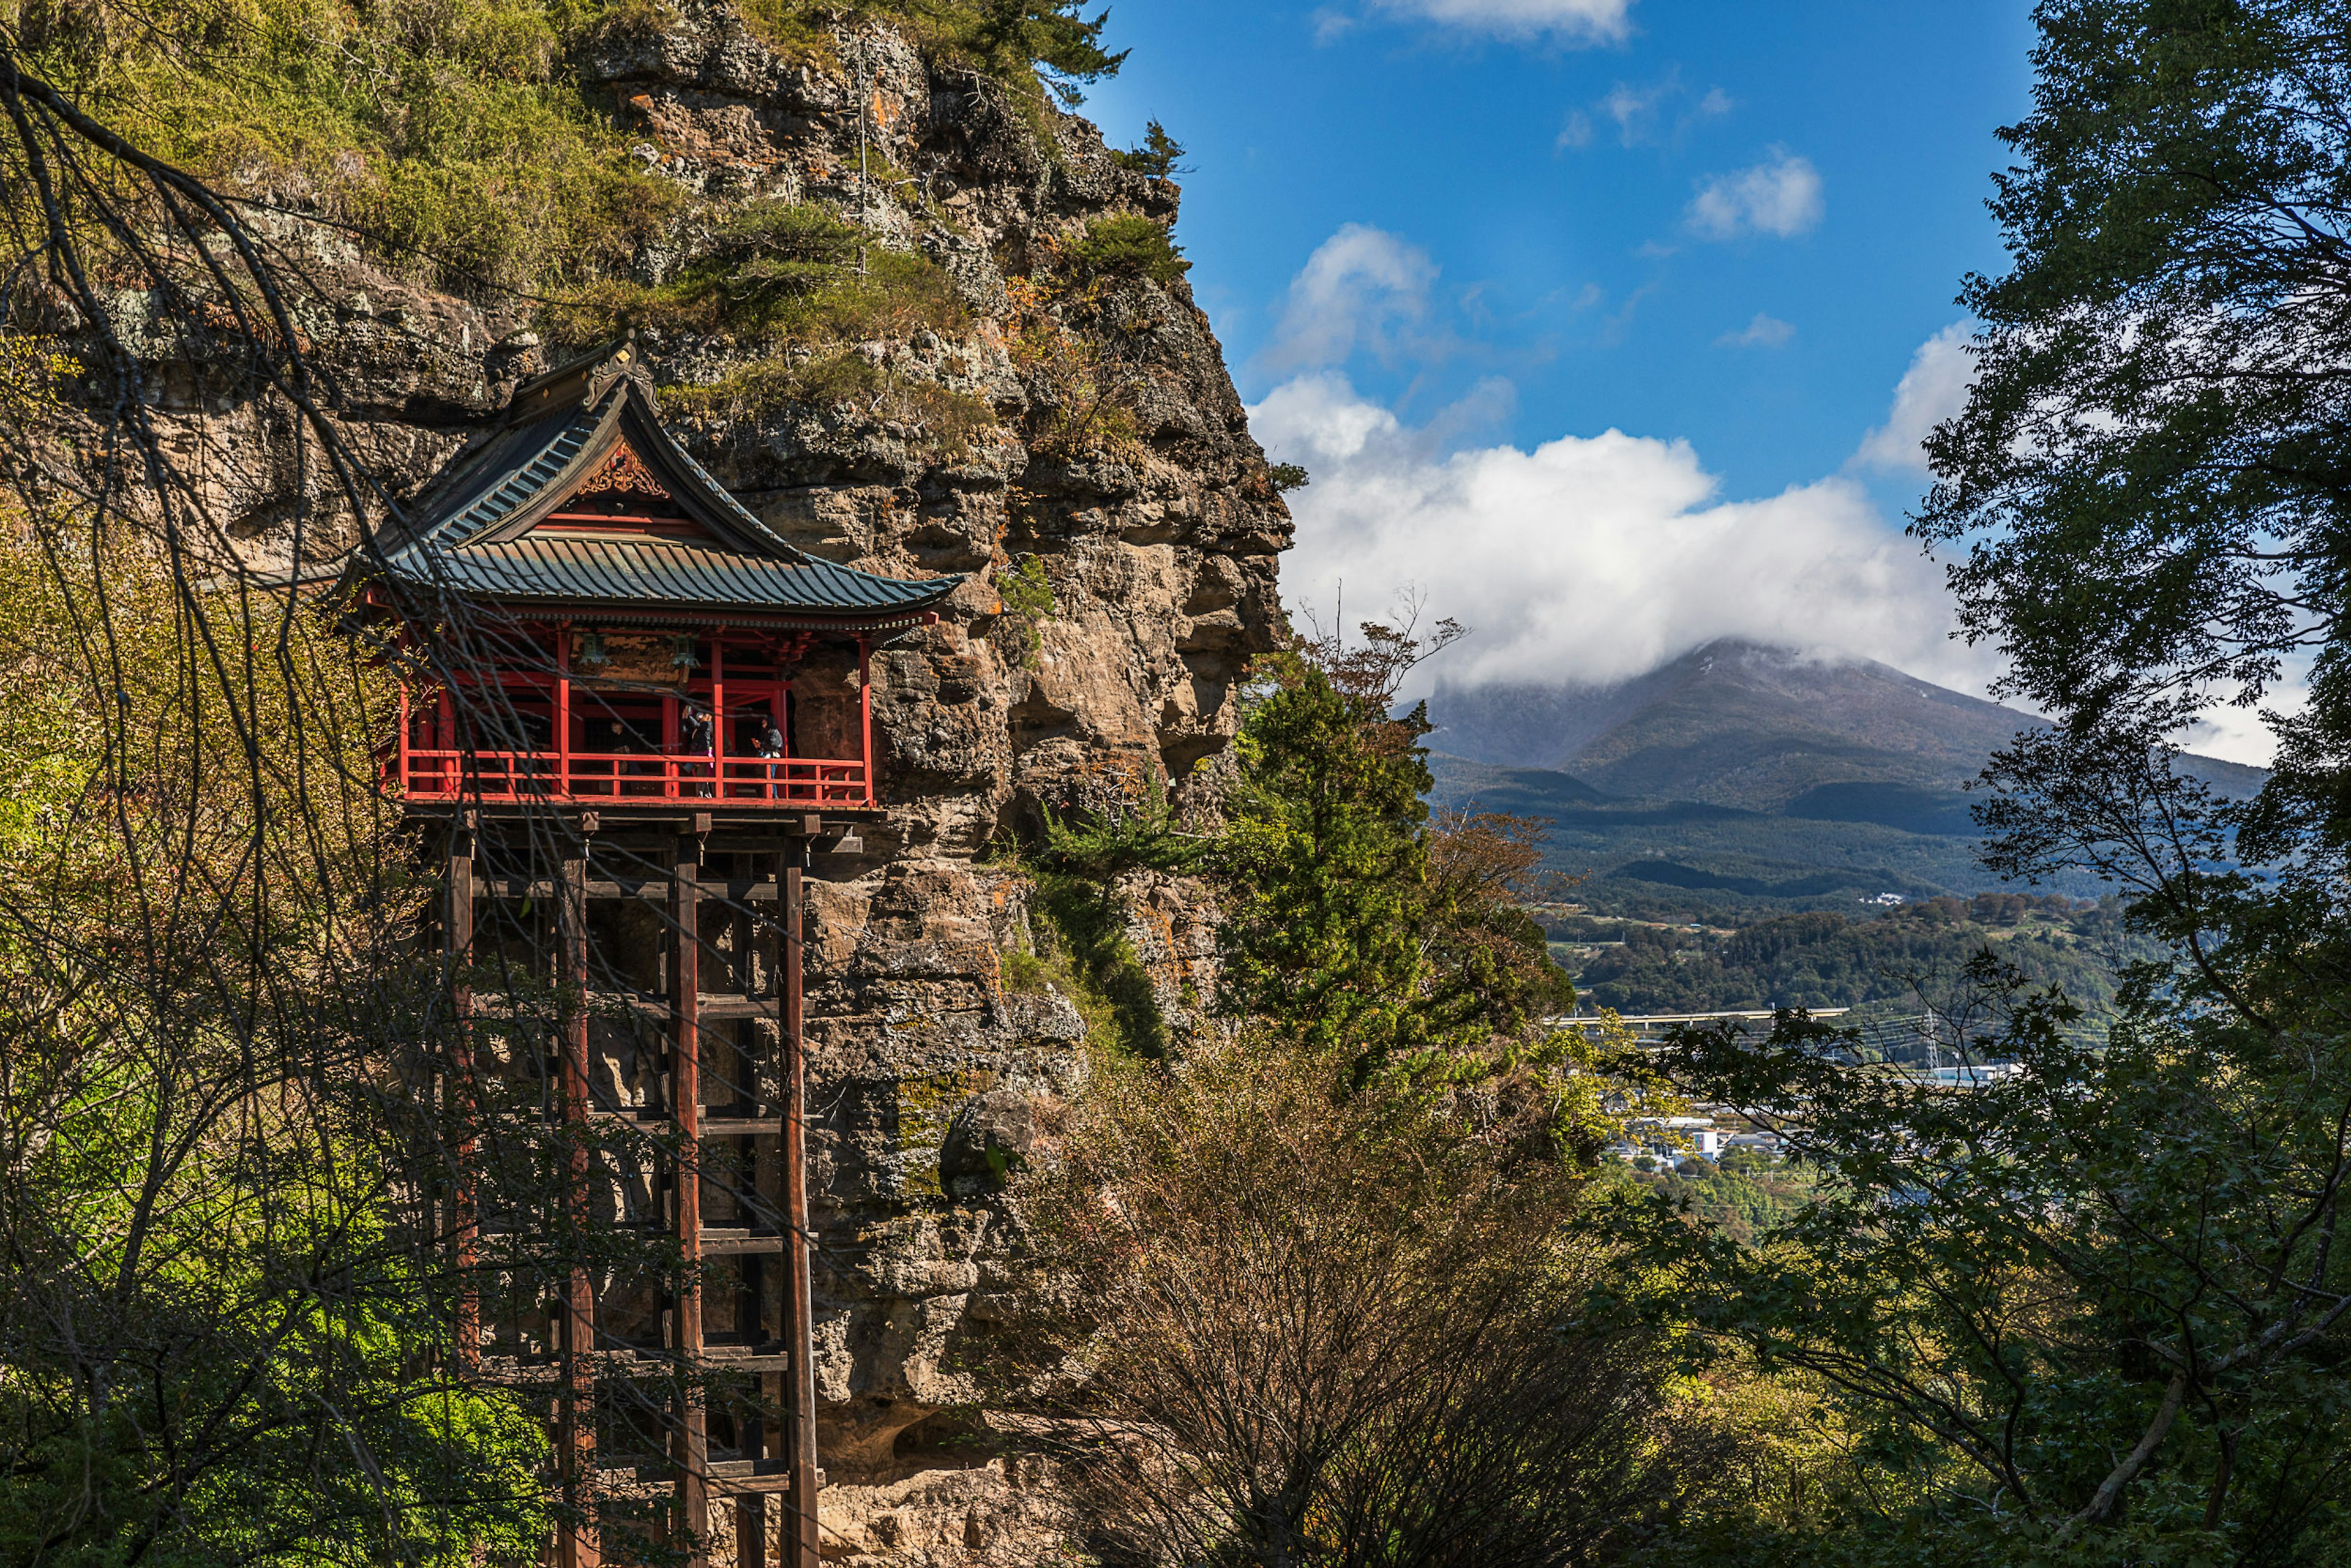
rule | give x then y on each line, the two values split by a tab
2096	1313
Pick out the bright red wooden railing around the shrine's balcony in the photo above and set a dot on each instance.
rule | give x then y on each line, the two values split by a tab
608	779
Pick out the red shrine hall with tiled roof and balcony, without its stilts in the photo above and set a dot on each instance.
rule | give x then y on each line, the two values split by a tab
619	598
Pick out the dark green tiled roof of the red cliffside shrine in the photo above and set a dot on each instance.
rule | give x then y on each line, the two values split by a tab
474	530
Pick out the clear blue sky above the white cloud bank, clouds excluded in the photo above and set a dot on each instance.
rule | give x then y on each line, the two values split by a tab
1550	177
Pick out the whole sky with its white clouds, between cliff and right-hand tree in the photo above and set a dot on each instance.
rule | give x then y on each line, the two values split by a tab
1602	326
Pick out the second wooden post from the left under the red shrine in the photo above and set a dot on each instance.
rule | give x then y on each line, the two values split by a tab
575	1449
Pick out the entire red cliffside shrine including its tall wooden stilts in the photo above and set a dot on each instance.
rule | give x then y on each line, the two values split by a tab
631	721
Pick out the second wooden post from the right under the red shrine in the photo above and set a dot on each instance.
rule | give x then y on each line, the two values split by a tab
688	1108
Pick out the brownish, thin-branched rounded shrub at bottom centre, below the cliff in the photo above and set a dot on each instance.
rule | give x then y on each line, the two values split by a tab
1334	1332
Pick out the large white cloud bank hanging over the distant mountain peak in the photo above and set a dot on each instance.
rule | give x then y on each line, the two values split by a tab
1593	558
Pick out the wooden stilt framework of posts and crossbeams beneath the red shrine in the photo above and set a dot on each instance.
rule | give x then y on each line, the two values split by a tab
770	1456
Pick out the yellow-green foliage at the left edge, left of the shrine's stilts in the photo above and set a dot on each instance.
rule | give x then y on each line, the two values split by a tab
220	1339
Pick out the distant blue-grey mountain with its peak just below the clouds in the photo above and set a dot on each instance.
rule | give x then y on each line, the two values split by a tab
1743	779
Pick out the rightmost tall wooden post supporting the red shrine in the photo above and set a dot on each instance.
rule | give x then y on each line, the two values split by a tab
798	1289
